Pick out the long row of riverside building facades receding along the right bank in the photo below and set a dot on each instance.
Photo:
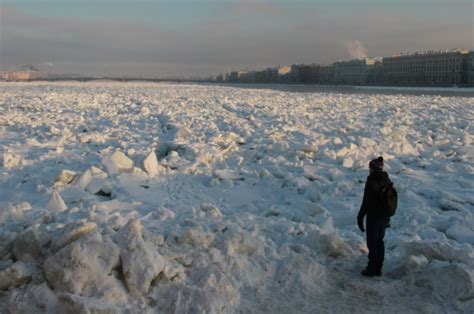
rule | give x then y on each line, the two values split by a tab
445	68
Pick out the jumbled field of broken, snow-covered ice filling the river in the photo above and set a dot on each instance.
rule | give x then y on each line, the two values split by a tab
140	197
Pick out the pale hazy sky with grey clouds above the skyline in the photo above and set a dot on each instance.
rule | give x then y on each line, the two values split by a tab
157	38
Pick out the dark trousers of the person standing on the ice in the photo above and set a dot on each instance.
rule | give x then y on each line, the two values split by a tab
375	233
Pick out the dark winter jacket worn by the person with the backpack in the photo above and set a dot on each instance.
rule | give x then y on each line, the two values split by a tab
371	203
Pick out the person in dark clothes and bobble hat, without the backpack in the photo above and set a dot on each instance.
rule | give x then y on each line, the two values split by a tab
377	220
